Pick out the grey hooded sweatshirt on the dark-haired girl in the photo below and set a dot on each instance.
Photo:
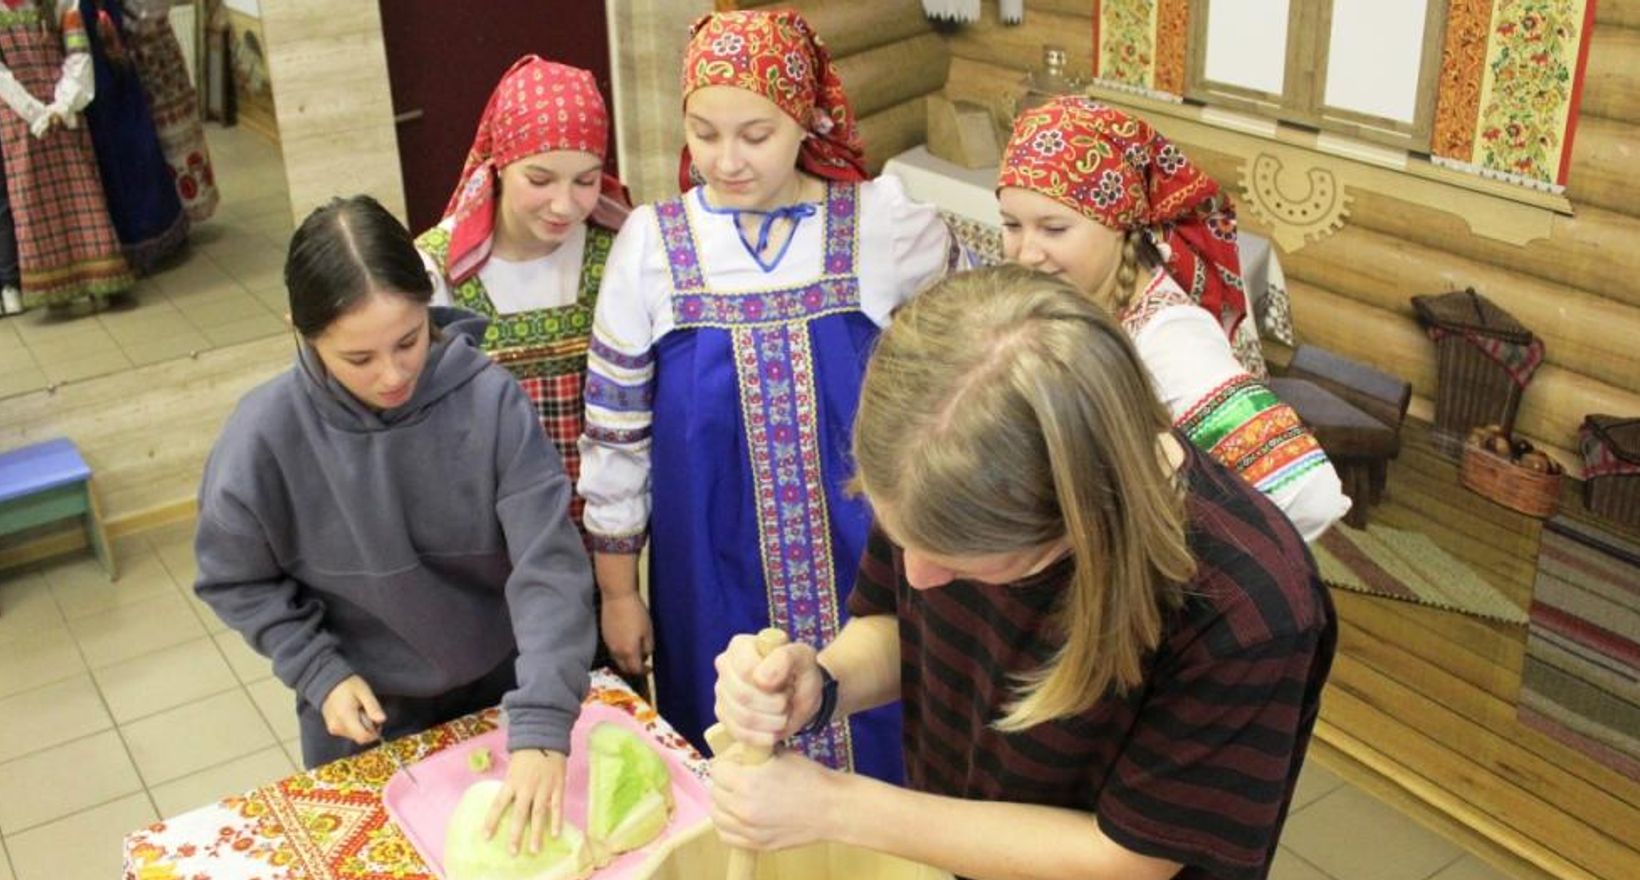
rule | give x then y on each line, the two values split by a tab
414	547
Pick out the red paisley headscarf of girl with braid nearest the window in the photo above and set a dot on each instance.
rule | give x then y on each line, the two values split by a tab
1116	170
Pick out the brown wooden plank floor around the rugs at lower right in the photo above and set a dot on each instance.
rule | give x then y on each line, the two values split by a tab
1421	707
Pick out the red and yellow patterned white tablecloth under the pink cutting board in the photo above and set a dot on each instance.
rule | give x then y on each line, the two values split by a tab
329	823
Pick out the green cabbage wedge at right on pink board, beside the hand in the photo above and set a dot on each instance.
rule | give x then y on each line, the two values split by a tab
629	791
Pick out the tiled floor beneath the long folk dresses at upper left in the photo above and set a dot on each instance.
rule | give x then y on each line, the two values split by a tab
225	289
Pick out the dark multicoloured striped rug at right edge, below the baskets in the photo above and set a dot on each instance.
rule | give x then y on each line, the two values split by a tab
1582	679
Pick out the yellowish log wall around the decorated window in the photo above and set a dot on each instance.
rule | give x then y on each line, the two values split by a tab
1574	288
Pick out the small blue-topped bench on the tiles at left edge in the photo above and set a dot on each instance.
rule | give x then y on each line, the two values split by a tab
48	483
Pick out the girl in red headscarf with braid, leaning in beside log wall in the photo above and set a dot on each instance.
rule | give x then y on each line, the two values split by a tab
1098	197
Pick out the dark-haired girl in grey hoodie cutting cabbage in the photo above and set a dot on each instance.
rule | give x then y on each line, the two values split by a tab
388	524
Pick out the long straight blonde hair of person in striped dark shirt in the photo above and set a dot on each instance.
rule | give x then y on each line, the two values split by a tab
1003	412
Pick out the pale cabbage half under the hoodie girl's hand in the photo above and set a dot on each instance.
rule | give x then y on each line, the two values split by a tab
468	856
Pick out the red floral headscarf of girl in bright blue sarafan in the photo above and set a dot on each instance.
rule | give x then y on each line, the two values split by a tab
780	57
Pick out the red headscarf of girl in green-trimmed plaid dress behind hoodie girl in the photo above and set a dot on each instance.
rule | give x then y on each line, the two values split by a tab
537	107
